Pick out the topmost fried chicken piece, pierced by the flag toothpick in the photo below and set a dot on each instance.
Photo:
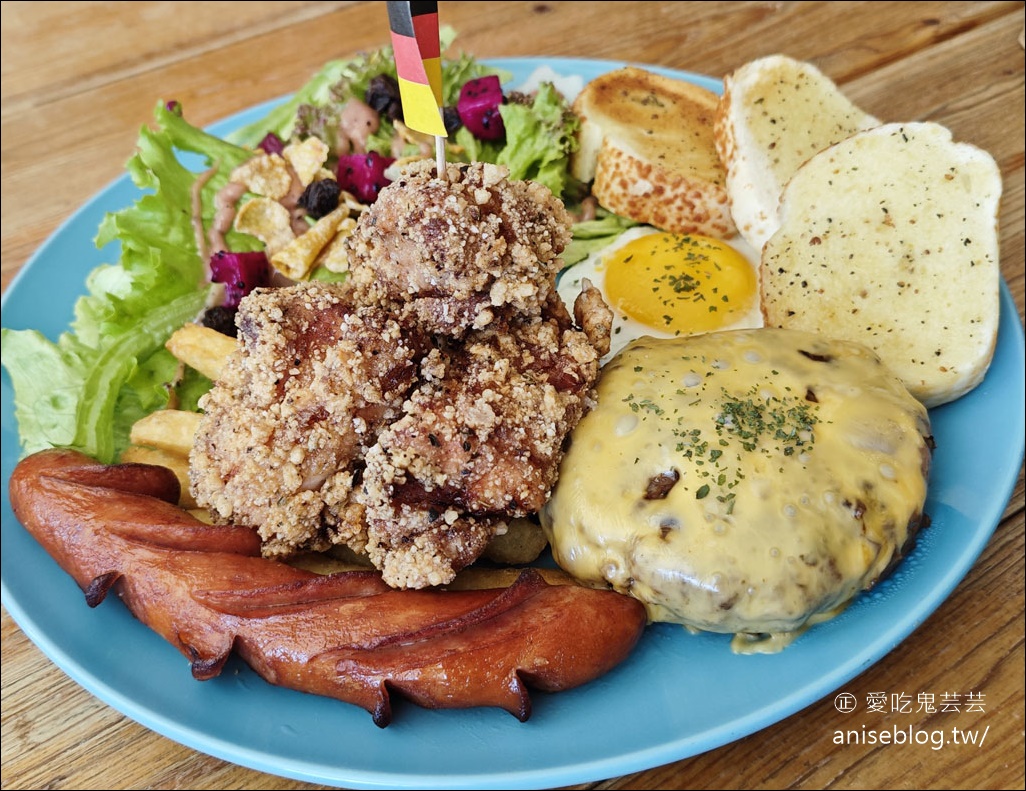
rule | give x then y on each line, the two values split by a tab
449	255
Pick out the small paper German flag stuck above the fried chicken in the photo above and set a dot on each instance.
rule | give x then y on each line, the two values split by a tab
418	63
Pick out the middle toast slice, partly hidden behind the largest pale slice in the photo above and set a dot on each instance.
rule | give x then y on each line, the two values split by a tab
776	113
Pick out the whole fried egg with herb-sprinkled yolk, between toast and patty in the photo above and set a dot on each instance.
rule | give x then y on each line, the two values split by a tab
669	286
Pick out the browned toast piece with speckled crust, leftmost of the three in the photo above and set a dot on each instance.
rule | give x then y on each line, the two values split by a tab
647	145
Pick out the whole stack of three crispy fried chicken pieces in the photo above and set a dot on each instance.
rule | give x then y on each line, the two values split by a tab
415	411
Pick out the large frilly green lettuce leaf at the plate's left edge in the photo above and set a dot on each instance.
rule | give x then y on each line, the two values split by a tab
110	368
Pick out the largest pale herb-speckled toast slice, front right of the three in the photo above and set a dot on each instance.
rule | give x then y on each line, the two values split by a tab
890	239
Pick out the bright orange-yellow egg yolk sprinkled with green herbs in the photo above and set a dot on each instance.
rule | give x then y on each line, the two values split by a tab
681	285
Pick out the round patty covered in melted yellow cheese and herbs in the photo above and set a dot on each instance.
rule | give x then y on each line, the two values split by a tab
745	482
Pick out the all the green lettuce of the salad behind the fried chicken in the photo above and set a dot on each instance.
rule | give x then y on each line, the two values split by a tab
110	369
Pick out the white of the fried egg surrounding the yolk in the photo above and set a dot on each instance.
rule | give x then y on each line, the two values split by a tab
626	329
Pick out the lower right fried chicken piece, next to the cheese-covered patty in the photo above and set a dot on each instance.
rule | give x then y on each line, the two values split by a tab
480	444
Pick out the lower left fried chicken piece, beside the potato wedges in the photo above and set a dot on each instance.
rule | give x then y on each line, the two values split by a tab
286	428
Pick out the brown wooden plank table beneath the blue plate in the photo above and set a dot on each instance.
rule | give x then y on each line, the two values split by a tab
81	78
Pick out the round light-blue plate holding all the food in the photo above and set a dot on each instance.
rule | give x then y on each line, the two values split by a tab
679	695
